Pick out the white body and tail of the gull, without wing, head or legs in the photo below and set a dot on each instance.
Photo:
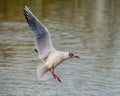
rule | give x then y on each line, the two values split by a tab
54	59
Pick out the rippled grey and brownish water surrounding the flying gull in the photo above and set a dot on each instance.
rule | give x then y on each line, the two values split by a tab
88	28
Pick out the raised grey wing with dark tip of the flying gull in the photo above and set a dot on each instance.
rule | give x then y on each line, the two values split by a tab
43	42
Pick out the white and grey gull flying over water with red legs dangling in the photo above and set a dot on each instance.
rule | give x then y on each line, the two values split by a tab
49	56
